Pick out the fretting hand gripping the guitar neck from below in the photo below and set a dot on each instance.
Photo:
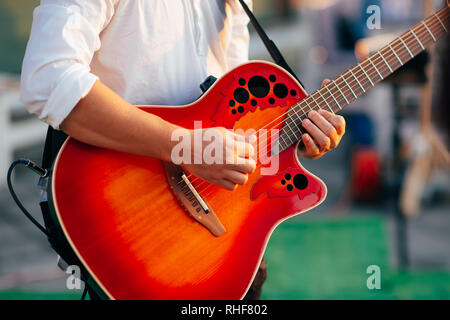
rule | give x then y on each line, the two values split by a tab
325	131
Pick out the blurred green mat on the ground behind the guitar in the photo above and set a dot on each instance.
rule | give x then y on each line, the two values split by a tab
311	258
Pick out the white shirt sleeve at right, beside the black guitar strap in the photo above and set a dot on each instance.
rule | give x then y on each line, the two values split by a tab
237	52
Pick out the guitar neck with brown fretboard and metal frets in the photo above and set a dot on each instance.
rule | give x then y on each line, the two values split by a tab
345	89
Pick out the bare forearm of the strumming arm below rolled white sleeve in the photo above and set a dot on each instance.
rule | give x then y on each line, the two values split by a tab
104	119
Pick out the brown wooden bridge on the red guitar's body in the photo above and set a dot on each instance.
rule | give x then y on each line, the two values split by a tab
191	200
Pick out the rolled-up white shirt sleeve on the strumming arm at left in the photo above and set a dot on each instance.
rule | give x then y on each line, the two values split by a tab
55	71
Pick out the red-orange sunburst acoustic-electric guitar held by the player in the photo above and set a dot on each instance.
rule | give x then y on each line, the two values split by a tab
145	229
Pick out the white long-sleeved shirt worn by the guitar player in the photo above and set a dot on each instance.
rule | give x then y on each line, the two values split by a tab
153	52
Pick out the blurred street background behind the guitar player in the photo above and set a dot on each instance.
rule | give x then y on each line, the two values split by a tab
388	201
